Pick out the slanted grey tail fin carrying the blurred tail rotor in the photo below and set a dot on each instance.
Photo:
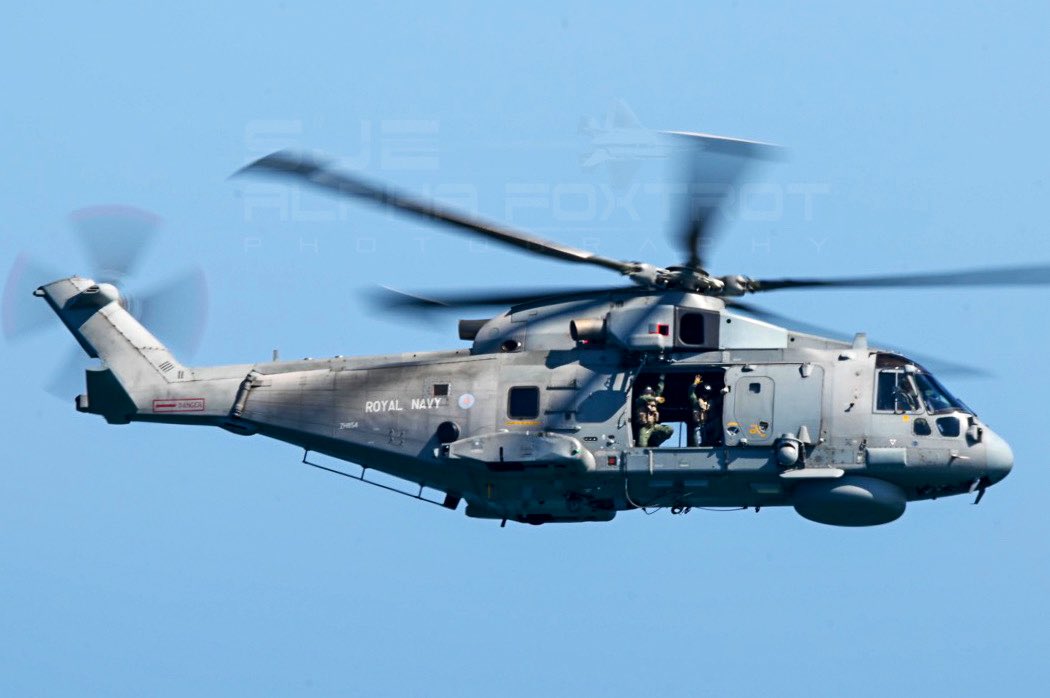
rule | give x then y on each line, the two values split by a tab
137	366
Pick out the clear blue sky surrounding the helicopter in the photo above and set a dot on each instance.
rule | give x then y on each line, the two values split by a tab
146	560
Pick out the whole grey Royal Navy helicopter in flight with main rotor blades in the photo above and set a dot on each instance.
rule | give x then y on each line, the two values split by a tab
561	408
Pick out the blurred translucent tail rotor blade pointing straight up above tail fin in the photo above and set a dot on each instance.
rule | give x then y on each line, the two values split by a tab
115	239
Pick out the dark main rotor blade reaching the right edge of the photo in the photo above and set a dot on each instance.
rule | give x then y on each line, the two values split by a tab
1003	277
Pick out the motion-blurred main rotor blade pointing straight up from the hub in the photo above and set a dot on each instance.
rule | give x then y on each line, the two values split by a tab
715	166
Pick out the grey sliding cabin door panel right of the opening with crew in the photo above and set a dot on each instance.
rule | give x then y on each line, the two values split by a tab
768	400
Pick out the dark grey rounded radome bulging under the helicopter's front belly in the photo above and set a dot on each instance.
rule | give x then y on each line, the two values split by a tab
850	501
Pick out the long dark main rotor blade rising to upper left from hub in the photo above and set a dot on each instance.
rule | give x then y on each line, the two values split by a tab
319	174
